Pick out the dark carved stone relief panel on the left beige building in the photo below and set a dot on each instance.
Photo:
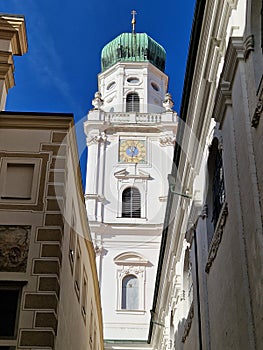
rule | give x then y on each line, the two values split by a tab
14	245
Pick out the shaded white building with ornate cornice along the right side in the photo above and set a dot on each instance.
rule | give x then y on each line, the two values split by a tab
210	288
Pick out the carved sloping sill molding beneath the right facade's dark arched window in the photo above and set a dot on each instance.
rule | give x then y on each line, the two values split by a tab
217	237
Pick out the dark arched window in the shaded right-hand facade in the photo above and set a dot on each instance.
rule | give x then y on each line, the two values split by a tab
218	188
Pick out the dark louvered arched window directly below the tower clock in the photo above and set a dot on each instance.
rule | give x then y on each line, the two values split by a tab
131	203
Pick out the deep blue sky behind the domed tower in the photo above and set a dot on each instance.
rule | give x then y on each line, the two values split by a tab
65	37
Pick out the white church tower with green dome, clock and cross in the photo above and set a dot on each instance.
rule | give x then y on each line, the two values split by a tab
130	138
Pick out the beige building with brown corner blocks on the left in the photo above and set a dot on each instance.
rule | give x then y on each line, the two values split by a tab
39	154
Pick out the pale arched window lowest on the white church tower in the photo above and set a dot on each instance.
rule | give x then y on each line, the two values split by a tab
130	295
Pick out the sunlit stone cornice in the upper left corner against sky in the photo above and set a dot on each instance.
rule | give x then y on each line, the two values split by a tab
13	28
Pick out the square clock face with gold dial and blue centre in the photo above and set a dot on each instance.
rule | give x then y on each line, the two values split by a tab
132	151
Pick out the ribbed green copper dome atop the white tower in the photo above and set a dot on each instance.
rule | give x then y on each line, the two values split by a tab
130	47
